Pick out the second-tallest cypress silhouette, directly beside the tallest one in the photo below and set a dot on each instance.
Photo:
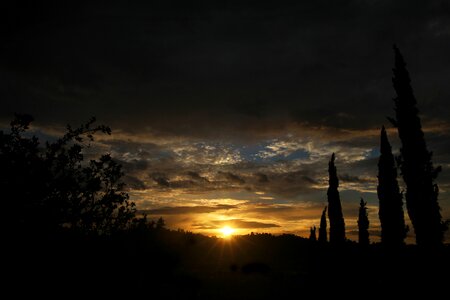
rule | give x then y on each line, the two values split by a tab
393	229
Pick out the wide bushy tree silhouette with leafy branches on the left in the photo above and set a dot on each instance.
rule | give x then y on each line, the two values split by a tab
53	187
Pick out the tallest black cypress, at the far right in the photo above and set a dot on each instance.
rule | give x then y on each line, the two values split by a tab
415	162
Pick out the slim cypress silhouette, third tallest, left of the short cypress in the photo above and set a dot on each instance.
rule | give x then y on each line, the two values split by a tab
337	225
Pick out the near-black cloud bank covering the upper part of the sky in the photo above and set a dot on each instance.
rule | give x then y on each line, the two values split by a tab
172	66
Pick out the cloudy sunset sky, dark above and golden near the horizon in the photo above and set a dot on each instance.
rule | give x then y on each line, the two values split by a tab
227	112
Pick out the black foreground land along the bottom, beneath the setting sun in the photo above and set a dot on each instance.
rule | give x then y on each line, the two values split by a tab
164	264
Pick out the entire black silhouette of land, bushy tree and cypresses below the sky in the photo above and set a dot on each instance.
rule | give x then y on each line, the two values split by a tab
70	229
